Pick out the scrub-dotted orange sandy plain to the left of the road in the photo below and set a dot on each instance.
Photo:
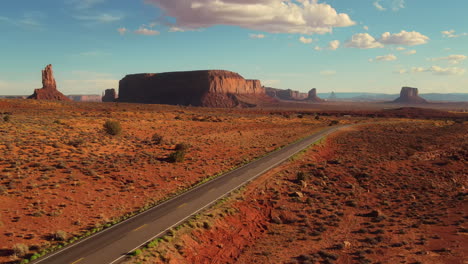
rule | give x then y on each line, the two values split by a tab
60	173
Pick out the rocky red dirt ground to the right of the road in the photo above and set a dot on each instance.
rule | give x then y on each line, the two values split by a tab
388	193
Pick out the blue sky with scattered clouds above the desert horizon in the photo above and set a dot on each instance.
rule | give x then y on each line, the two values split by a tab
333	45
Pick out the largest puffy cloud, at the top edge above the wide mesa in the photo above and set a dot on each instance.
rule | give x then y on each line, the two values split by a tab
275	16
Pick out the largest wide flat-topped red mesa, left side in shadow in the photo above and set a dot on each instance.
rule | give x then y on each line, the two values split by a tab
210	88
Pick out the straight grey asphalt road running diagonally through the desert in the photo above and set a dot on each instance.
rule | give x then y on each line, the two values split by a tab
111	245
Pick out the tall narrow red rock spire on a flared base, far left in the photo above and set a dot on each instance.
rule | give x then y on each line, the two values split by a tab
49	87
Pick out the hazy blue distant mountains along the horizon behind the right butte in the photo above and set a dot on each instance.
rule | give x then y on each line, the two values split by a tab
449	97
